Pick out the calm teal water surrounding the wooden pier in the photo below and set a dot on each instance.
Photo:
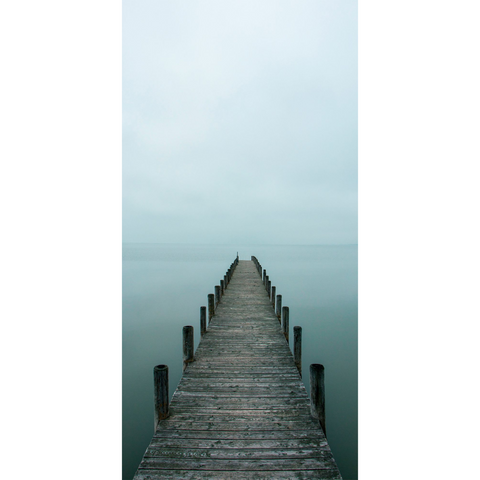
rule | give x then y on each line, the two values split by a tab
163	289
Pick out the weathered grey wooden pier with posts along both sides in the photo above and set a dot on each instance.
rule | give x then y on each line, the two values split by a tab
241	410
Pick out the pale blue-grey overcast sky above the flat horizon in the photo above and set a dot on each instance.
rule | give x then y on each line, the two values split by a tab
240	121
